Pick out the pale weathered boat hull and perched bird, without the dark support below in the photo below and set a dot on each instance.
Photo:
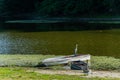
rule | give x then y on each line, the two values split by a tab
67	59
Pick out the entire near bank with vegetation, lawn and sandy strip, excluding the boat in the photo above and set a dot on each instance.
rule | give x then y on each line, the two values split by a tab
21	67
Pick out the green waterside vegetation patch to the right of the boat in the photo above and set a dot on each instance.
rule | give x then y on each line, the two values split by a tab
105	63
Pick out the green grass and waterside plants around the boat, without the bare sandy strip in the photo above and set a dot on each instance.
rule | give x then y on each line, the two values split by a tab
16	66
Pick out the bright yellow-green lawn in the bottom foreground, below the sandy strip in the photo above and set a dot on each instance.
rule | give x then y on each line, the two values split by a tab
18	73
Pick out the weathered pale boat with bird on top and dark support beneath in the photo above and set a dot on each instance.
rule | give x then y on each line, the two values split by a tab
76	62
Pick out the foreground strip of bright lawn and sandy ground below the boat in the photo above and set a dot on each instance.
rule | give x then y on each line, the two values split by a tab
22	73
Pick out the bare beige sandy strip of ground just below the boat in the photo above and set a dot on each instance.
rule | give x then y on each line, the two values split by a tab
101	74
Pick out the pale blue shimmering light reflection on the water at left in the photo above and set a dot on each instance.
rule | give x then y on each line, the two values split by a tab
12	44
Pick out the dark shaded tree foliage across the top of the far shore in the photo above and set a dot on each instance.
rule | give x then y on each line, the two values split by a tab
64	8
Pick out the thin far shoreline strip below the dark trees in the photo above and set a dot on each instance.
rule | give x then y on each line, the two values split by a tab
73	20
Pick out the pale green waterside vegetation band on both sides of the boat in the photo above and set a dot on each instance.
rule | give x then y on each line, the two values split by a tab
97	62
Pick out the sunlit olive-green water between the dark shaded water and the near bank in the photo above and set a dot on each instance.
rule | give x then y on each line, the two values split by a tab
97	42
